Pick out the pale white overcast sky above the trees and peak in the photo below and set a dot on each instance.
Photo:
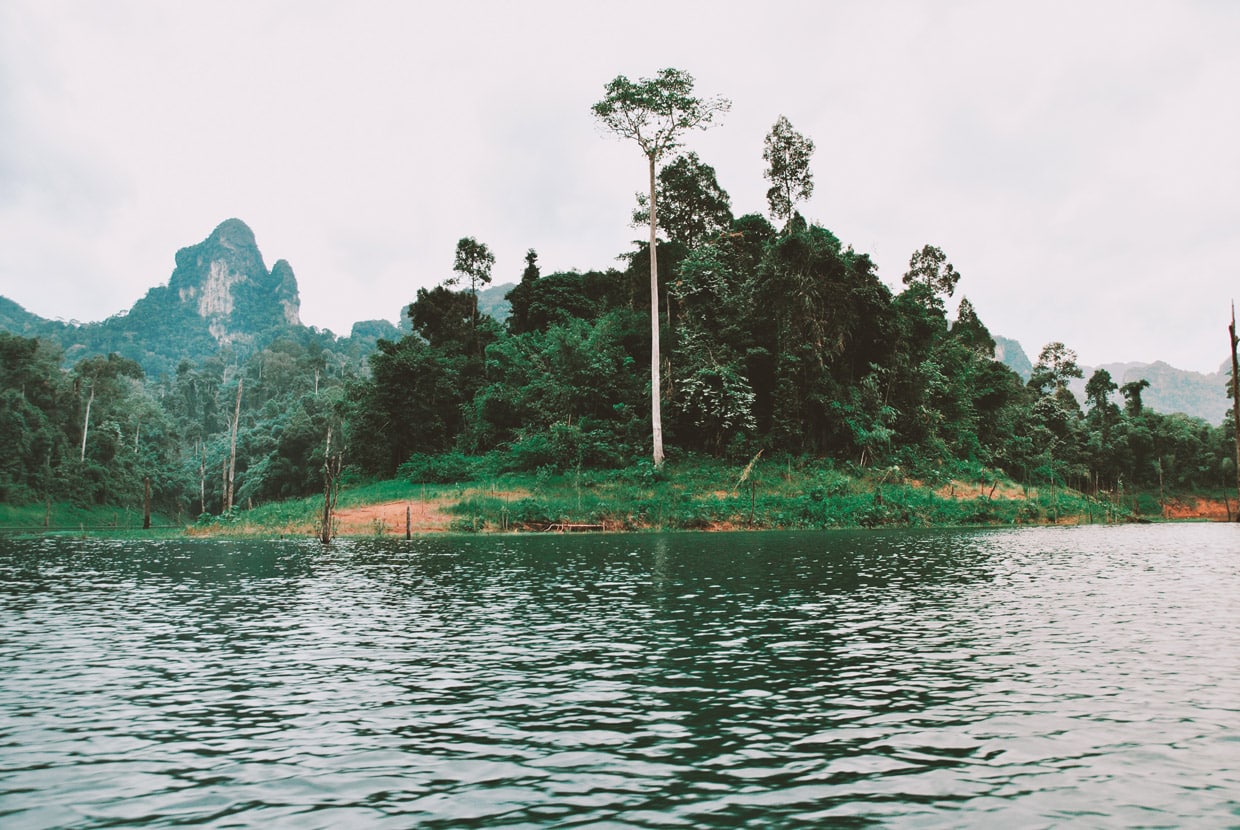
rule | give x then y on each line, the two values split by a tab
1078	162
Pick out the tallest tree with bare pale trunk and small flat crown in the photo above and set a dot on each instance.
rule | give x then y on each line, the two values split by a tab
655	114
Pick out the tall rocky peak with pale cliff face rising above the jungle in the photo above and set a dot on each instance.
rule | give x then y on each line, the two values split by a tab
225	282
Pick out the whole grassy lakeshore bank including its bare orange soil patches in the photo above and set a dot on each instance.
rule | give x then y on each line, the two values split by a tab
688	496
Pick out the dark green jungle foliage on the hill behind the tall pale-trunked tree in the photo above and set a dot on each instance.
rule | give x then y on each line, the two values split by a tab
786	343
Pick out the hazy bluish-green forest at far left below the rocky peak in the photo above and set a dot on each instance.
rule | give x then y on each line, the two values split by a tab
96	434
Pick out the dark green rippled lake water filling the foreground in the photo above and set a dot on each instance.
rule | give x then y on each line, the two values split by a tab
1029	678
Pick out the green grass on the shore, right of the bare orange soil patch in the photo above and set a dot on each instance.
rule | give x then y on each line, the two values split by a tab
705	494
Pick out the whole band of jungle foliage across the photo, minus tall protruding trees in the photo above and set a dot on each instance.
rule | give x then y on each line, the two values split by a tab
779	342
